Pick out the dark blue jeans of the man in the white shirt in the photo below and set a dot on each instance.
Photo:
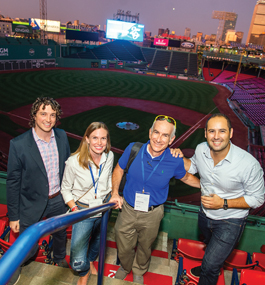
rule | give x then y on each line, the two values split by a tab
221	237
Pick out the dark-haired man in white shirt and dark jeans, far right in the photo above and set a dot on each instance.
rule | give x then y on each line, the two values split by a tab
231	183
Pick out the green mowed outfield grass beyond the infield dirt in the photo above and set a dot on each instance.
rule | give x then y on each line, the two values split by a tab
23	88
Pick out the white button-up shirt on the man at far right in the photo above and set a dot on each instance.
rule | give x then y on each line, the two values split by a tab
239	174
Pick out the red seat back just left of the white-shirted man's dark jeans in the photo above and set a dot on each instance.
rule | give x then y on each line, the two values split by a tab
191	249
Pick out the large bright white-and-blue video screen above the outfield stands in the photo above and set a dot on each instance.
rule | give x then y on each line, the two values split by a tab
125	31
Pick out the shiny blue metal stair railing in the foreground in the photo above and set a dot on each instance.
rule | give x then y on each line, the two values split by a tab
15	255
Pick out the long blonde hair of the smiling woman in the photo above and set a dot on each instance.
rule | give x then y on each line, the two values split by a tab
83	152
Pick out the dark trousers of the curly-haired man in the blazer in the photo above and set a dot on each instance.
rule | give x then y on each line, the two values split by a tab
55	207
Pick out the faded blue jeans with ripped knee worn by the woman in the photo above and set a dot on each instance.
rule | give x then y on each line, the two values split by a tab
85	244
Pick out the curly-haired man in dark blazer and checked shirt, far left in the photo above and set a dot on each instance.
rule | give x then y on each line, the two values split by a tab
35	169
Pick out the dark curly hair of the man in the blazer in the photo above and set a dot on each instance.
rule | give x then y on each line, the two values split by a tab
45	101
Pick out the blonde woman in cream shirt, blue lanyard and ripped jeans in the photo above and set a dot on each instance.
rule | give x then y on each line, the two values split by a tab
87	183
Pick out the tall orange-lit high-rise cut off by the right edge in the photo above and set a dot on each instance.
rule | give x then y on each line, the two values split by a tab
257	25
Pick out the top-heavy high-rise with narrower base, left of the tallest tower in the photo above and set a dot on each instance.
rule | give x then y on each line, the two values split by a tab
227	20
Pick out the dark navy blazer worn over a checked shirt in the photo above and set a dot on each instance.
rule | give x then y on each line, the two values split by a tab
27	183
